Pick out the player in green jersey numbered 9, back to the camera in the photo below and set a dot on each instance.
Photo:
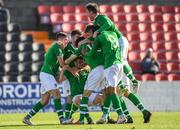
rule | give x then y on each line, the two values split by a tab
107	42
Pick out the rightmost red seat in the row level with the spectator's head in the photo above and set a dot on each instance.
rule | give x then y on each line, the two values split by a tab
172	56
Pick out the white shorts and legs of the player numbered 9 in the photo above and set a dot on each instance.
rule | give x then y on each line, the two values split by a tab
112	77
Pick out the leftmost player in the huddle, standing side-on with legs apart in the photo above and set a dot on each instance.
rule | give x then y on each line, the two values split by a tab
53	60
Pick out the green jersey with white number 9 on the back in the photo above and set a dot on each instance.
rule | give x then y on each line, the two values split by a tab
107	41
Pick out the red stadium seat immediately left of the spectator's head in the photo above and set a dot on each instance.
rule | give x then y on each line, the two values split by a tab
134	56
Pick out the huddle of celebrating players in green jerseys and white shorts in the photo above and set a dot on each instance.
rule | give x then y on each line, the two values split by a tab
94	67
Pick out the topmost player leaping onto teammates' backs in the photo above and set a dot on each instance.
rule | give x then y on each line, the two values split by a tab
107	25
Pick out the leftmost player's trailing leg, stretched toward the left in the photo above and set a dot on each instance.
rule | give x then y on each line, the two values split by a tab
38	106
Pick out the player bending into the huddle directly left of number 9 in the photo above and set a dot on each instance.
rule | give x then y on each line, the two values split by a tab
95	77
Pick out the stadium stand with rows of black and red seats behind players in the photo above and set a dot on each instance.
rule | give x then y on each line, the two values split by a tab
145	26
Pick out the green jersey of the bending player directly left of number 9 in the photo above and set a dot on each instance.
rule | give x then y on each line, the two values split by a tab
92	61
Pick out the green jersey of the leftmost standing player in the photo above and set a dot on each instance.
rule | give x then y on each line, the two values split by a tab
51	63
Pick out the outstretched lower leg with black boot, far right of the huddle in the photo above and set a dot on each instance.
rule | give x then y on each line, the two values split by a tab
136	101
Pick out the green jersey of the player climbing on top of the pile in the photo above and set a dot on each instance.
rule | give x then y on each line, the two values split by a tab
106	24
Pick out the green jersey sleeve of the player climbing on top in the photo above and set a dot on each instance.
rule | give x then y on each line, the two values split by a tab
104	23
